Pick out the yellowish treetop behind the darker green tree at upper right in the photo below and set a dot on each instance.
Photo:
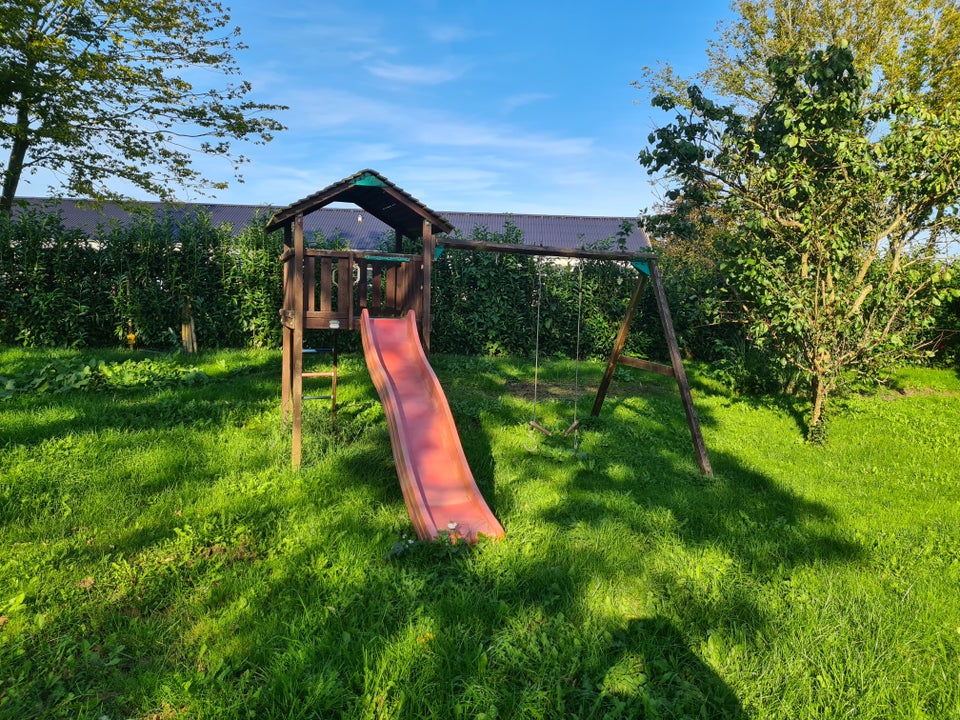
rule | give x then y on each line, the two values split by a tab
908	46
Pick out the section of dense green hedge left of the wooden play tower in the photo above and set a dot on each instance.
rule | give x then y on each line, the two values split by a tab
145	278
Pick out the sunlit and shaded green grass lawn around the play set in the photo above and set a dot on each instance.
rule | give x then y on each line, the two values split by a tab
159	560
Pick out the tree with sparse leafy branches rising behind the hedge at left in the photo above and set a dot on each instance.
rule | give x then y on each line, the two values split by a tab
99	89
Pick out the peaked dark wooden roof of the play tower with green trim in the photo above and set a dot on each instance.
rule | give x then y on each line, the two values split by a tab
372	192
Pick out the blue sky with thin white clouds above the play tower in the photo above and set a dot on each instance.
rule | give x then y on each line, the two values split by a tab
522	107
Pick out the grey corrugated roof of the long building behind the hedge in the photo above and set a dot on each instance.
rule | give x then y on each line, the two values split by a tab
361	230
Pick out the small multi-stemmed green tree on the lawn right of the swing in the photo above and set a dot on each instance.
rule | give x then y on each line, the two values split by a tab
827	203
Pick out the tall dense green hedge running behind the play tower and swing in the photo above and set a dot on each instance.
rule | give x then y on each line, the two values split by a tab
64	287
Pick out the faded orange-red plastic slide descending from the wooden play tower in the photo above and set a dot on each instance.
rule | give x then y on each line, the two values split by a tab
437	484
